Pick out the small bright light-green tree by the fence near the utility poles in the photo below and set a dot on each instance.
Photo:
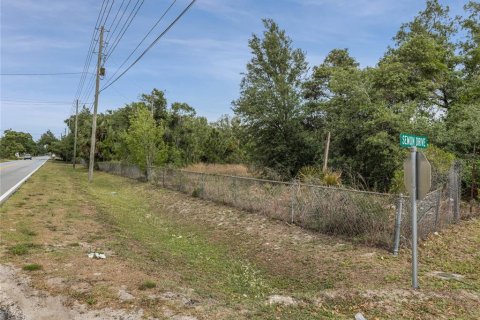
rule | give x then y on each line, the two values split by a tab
144	140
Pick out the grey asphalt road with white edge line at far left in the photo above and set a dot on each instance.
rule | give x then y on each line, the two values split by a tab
13	172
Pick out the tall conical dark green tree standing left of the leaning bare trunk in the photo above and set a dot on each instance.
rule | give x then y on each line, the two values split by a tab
270	104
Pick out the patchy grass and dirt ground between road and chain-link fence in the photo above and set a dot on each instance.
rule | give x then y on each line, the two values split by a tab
172	255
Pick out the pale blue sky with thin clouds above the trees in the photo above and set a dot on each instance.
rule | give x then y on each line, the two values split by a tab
199	61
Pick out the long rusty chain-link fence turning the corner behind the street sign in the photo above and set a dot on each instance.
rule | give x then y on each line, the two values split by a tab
371	218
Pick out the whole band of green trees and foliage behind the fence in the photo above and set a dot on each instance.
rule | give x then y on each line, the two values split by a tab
427	83
